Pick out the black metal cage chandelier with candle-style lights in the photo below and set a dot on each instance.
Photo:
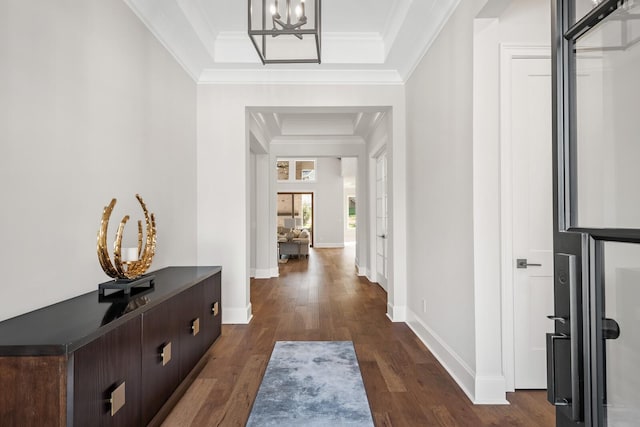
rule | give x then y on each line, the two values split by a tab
286	31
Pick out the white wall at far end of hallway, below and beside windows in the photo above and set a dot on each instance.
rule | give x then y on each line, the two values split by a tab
328	221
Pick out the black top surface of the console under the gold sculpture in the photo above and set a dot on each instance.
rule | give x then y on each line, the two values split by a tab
63	327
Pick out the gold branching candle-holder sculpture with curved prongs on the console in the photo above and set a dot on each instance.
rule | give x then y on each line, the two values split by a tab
127	270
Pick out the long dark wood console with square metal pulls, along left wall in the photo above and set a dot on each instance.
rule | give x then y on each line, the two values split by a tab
108	361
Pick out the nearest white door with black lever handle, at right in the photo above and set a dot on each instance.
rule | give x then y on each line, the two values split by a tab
532	218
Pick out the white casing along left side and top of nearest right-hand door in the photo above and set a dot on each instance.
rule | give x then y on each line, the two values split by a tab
509	53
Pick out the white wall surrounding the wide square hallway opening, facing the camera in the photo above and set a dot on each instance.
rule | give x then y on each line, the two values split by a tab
222	172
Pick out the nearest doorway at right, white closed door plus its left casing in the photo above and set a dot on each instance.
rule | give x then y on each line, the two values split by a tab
527	238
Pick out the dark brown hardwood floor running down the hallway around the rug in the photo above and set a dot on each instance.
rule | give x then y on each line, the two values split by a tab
322	299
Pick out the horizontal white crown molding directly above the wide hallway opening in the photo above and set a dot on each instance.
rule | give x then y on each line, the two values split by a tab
299	76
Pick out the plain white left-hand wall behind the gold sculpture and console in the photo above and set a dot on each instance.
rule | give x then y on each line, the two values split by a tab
91	107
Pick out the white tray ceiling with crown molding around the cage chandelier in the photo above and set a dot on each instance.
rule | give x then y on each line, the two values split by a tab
363	41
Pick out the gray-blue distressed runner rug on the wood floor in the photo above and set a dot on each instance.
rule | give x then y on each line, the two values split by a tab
312	383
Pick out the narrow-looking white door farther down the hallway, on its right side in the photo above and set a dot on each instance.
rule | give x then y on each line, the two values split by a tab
381	220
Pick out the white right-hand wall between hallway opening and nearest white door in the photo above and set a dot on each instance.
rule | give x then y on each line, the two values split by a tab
453	177
